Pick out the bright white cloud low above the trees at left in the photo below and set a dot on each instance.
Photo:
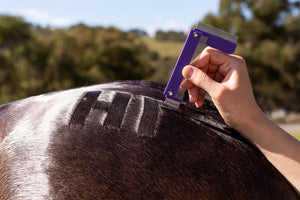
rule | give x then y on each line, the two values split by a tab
42	18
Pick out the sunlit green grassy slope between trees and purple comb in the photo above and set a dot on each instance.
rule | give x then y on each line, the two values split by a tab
164	48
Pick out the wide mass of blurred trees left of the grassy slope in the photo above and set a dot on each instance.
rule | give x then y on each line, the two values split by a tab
35	60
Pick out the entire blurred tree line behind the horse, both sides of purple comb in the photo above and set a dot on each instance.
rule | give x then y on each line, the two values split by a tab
36	60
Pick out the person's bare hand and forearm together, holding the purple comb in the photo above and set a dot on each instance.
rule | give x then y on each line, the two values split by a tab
225	78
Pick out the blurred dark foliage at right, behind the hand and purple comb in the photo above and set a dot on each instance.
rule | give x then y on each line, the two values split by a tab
269	40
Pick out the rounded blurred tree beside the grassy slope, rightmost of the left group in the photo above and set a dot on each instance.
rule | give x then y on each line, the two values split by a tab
122	55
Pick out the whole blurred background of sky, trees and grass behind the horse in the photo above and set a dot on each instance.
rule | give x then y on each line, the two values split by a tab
56	45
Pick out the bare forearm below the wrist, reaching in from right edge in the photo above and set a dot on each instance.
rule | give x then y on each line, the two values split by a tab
280	148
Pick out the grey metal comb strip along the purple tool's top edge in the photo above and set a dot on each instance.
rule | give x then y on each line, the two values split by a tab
220	33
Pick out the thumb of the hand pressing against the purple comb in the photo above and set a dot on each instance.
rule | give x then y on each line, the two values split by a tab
200	79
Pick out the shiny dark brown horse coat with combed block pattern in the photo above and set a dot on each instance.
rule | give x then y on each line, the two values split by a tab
119	141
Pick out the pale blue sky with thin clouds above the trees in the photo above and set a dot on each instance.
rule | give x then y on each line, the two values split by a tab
151	15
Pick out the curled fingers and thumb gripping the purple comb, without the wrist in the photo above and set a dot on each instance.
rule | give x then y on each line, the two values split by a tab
210	72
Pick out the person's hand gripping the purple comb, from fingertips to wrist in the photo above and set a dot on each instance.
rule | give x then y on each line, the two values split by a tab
225	78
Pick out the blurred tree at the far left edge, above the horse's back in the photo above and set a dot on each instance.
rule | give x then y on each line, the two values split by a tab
15	33
